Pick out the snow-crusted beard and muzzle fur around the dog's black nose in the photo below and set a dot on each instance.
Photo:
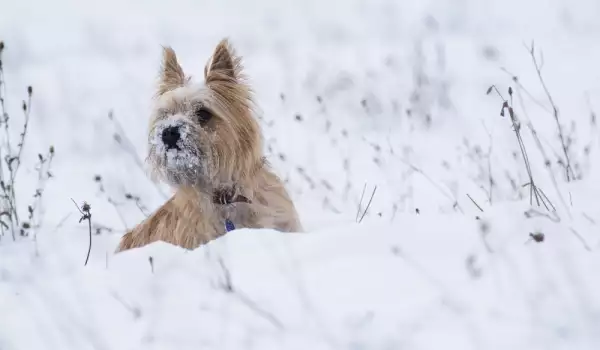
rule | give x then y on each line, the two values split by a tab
183	165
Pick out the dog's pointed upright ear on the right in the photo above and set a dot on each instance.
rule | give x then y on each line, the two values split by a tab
223	65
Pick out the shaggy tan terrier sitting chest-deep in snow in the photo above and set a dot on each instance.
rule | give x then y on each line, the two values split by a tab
206	143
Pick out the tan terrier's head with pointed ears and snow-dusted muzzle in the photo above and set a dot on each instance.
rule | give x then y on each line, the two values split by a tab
204	134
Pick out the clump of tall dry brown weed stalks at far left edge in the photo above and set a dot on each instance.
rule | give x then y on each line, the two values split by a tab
11	155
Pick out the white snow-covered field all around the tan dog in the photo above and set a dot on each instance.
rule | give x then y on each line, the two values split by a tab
380	96
